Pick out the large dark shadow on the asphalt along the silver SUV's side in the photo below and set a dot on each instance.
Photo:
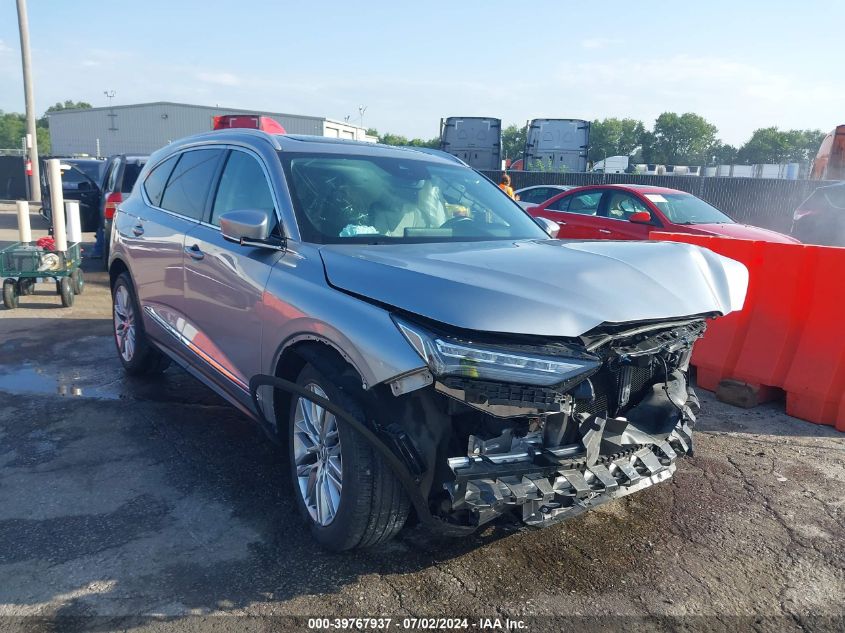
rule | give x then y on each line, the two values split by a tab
200	510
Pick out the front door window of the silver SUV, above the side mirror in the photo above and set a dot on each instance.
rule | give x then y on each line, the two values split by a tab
242	186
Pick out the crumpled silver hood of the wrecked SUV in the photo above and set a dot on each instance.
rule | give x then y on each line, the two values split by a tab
546	287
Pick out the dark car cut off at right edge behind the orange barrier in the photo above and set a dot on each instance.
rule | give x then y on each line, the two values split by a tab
820	219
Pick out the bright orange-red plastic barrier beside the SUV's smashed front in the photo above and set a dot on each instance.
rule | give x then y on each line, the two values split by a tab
789	335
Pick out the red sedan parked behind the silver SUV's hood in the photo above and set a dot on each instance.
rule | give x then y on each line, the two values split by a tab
629	212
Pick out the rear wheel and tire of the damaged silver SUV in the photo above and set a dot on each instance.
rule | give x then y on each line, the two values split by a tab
138	356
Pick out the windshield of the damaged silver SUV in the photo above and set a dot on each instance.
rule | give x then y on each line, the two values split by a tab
341	198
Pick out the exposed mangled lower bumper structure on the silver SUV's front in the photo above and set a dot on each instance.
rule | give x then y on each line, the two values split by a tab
549	485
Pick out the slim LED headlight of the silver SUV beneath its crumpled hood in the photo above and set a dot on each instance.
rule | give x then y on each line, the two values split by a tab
447	356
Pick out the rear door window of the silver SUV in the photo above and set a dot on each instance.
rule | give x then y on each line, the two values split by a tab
187	188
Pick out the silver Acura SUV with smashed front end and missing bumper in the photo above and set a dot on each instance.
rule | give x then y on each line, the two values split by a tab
411	335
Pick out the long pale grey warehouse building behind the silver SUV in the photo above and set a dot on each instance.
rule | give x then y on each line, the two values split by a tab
145	127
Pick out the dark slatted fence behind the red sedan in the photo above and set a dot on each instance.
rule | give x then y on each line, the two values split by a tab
768	203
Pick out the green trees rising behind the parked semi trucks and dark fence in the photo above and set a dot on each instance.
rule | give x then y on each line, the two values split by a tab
675	139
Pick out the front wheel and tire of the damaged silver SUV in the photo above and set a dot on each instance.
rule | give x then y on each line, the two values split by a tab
347	494
